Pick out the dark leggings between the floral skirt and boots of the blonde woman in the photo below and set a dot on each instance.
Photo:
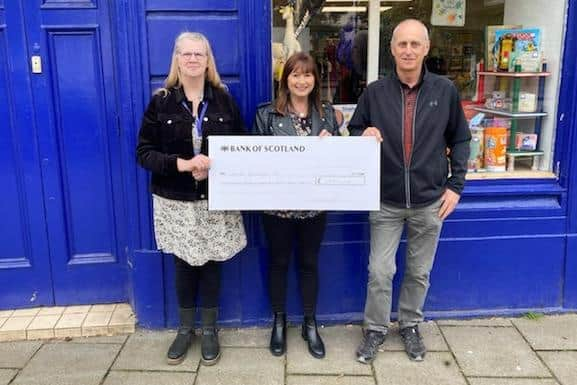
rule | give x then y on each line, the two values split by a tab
190	280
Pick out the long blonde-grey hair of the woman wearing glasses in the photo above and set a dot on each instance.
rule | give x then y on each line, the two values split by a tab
173	78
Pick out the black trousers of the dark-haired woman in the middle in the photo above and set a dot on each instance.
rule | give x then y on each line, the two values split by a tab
281	235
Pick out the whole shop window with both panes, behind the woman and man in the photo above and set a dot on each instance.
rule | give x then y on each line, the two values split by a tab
467	39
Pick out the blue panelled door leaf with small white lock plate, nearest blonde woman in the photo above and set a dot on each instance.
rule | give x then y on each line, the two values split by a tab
79	142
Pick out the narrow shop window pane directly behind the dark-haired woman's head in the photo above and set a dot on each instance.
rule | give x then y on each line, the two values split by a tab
334	33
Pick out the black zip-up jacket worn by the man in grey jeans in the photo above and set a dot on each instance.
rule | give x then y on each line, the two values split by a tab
439	123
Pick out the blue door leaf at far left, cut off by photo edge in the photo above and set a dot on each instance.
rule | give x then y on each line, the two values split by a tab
25	274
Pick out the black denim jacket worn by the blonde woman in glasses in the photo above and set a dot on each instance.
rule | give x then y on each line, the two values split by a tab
166	134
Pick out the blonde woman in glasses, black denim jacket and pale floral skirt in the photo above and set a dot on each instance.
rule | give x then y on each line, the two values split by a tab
173	145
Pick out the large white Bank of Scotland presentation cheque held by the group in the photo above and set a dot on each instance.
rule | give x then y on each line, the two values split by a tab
293	173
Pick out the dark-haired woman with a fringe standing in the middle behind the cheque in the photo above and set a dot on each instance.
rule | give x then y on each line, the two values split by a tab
297	111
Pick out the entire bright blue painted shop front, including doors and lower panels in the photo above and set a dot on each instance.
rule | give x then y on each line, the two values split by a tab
77	219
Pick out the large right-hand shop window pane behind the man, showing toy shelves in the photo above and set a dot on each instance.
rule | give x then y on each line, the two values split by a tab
472	36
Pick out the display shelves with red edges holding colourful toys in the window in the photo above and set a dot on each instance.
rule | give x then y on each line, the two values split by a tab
513	53
